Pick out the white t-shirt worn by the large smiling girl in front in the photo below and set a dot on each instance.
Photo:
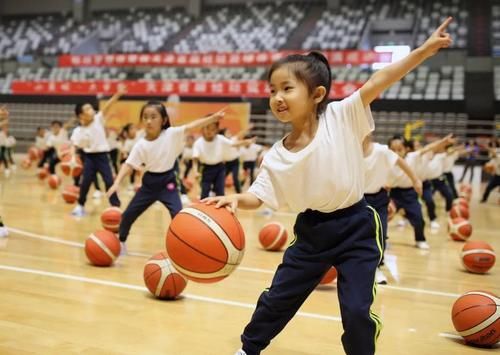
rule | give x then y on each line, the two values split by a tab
326	175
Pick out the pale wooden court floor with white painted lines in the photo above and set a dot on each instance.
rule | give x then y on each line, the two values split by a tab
52	301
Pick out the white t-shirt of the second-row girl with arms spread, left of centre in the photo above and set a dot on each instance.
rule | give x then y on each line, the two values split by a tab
159	155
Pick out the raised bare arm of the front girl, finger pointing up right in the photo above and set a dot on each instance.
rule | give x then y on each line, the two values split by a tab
384	78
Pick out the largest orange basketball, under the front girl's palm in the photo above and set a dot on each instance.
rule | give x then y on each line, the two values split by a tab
205	243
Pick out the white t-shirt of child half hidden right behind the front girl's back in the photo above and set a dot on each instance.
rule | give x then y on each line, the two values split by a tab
378	167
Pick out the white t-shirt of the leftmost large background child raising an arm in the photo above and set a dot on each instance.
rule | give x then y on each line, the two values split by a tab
92	138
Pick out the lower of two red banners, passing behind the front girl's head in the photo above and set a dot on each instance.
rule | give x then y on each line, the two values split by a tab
252	89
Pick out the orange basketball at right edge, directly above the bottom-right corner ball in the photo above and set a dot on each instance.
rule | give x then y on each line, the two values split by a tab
478	257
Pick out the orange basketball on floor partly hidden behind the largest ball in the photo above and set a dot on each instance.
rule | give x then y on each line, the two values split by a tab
161	279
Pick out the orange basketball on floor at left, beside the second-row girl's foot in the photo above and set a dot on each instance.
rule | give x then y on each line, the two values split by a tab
102	248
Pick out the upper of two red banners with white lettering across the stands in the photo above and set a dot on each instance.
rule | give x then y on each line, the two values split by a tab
352	57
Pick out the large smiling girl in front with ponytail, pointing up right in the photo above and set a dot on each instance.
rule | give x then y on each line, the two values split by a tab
318	171
